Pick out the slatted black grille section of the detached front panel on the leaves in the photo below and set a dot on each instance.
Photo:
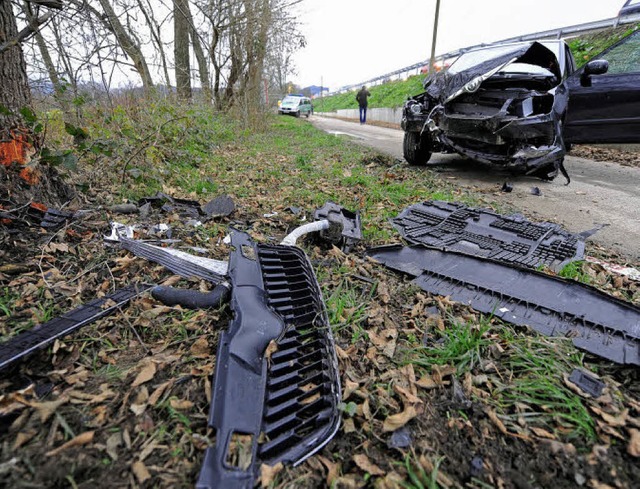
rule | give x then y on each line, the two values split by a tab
301	387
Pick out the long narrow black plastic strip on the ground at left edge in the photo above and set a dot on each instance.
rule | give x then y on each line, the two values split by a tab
43	334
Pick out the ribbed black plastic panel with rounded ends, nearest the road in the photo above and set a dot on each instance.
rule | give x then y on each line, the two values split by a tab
480	232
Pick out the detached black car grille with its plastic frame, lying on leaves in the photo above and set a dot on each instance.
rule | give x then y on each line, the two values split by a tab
274	404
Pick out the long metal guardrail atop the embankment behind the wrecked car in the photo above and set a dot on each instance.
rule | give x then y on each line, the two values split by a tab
549	34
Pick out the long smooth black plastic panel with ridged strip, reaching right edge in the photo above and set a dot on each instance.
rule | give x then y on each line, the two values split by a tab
596	322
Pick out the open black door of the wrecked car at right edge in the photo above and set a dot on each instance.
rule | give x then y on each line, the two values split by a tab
606	108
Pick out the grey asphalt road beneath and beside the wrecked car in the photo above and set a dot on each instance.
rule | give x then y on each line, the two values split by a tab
599	193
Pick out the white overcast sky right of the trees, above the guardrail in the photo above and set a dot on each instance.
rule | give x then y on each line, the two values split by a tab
349	41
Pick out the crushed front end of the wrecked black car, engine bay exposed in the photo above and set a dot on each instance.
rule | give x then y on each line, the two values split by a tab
502	107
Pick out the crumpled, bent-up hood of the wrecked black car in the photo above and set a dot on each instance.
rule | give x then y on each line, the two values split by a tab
447	86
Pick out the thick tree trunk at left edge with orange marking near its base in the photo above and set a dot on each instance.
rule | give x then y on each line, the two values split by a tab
16	139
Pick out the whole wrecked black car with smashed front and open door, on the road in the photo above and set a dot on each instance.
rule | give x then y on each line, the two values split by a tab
510	106
